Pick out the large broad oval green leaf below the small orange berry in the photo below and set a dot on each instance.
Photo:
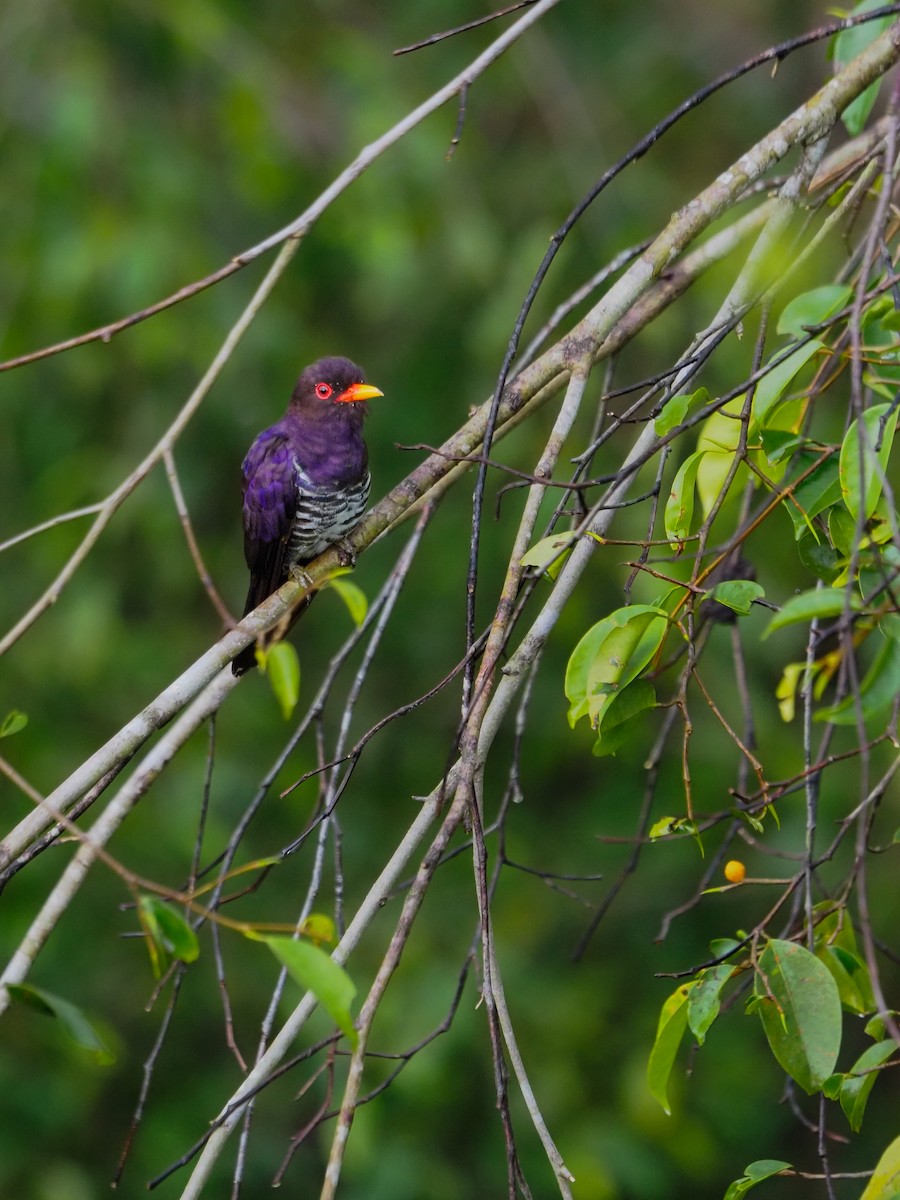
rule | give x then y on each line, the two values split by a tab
801	1012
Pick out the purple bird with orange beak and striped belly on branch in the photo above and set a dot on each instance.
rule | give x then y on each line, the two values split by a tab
307	481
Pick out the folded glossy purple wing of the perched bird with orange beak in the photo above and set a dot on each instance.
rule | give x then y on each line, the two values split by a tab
269	508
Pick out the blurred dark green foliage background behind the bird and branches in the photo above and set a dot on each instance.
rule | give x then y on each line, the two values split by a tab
143	146
